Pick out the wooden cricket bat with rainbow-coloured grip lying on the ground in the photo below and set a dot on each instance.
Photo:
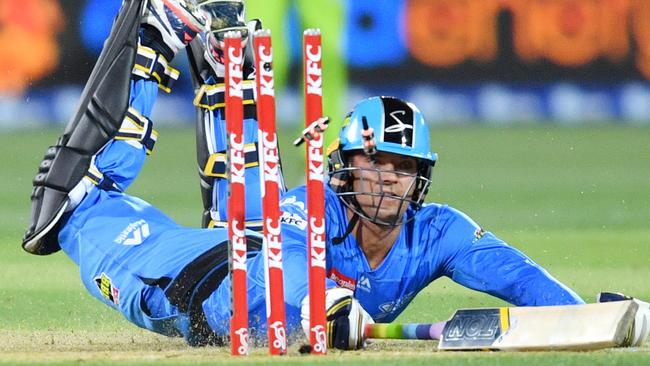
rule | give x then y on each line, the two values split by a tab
538	328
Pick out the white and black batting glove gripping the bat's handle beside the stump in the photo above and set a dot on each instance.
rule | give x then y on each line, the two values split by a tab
346	319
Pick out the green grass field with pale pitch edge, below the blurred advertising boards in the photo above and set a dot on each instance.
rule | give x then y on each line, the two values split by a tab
574	199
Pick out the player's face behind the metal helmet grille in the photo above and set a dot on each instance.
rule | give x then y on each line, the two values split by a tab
384	185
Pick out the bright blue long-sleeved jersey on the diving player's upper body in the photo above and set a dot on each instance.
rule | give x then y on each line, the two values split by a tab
439	241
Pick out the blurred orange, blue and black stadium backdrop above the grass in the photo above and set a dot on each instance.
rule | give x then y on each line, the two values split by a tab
460	61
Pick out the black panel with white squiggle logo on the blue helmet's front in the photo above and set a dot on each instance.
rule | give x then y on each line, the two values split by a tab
398	123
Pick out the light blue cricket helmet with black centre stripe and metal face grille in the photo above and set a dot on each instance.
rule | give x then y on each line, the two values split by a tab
399	128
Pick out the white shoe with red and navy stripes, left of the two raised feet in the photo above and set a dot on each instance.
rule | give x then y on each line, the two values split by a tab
177	21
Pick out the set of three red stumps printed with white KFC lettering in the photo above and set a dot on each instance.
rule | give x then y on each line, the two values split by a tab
270	185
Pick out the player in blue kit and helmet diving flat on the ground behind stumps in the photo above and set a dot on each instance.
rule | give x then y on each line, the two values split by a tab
383	244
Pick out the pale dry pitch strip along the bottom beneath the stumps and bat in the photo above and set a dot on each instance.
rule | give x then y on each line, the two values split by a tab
135	346
